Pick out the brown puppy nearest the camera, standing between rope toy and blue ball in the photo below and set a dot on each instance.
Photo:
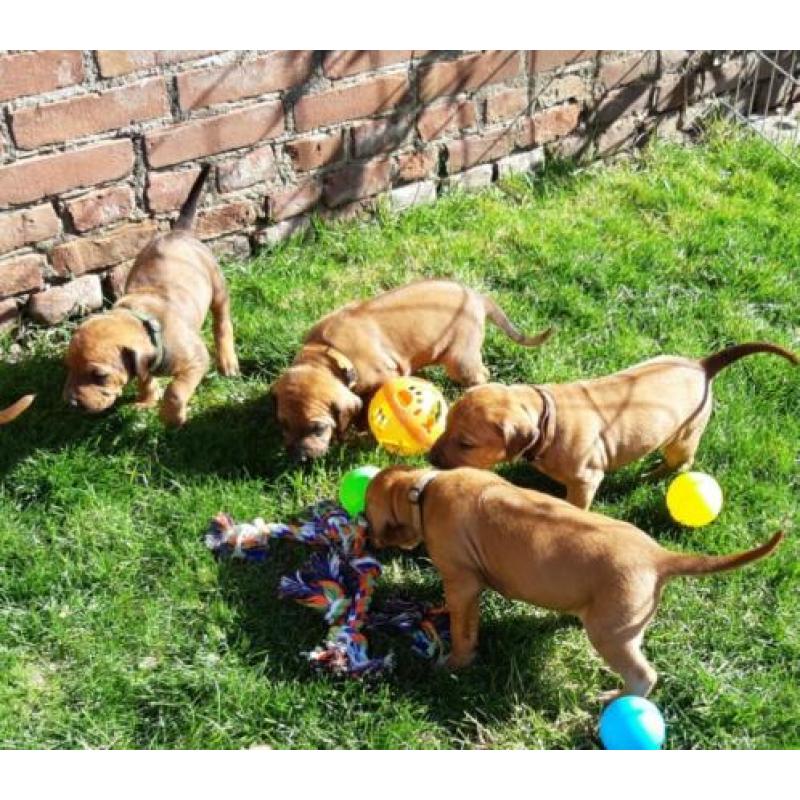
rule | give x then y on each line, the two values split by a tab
481	531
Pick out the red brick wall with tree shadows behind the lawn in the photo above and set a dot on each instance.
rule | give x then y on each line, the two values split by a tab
98	148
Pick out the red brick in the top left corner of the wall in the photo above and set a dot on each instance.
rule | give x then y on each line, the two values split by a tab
41	71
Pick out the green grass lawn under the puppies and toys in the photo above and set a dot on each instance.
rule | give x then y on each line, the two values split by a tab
118	629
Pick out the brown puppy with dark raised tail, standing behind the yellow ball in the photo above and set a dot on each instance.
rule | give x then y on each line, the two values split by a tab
576	432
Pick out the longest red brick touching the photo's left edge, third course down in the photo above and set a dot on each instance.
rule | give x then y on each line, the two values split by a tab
34	178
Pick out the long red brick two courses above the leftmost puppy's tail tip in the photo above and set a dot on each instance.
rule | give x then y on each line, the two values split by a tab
277	70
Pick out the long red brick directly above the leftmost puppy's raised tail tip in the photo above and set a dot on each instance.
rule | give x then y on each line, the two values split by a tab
205	137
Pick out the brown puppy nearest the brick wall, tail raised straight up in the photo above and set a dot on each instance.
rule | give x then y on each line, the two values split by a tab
154	329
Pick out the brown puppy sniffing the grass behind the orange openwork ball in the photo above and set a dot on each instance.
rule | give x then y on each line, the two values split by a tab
348	354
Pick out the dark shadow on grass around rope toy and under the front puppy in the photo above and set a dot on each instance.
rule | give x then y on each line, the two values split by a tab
271	635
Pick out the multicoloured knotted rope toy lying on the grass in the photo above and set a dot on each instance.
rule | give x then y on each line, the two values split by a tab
338	582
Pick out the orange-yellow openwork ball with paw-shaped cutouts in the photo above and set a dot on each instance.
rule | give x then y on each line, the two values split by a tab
407	415
